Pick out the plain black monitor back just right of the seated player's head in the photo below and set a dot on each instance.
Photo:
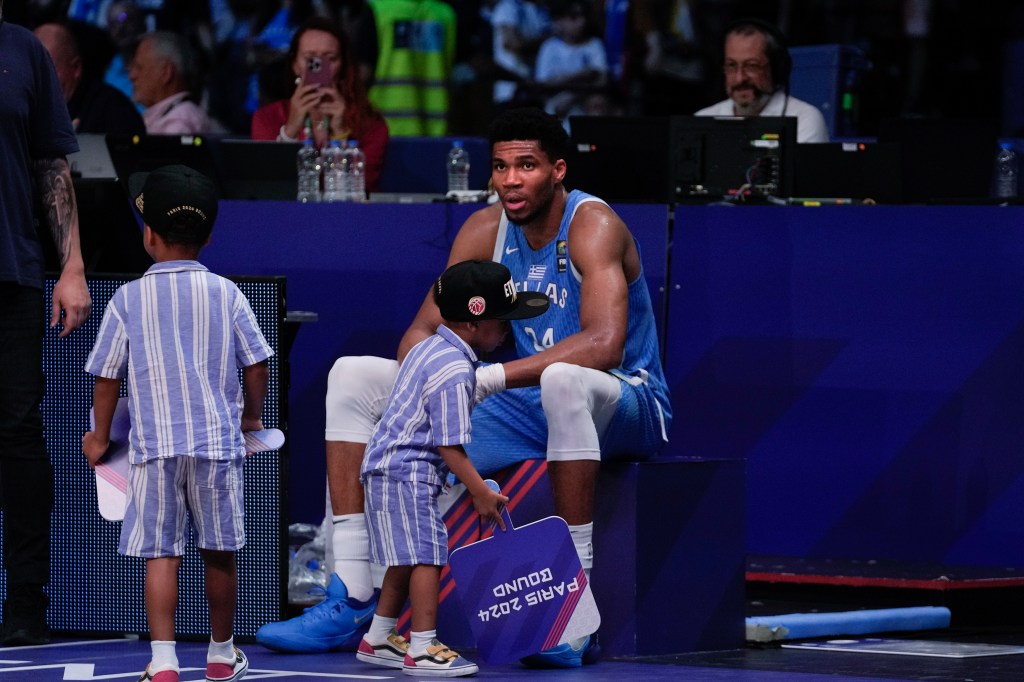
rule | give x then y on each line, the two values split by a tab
621	158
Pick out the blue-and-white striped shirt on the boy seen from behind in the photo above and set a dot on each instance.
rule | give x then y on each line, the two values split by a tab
180	334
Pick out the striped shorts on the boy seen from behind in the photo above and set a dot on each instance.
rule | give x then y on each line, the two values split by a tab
160	492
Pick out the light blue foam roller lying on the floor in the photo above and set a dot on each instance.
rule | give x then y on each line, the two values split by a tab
802	626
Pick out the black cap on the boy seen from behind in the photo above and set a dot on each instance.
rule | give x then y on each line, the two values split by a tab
170	192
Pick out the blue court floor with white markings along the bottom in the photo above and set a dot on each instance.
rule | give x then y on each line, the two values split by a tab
125	659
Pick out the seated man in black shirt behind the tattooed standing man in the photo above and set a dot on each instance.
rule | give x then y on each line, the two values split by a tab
95	107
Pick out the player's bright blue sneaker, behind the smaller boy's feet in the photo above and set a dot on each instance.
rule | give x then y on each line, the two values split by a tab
330	625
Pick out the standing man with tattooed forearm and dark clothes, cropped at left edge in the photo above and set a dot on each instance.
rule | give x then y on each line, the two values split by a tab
36	137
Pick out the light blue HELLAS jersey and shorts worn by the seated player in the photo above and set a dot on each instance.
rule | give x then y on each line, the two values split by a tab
643	420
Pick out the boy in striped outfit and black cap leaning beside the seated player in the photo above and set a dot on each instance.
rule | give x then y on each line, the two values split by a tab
417	442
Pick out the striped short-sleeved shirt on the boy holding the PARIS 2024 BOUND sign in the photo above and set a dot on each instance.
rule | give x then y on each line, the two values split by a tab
430	406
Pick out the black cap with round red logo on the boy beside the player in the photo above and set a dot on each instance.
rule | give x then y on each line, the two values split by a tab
477	290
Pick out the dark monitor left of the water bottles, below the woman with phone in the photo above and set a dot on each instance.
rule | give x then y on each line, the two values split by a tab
257	169
